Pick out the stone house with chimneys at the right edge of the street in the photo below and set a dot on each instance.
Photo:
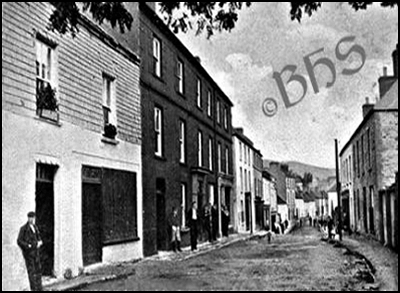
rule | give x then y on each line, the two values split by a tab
374	147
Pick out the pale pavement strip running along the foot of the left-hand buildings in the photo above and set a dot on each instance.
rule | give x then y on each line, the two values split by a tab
113	272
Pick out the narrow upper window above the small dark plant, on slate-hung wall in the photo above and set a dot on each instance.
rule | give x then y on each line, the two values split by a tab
109	105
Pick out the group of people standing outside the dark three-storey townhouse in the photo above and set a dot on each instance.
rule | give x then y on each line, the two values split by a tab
208	218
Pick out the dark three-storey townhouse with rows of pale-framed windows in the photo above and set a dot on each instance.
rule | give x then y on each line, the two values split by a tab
187	130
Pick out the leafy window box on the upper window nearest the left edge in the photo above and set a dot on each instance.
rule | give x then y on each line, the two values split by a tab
47	104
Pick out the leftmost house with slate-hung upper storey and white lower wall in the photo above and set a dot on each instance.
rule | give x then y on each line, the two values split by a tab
71	144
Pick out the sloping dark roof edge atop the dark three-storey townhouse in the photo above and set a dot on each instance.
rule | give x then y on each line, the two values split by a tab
152	15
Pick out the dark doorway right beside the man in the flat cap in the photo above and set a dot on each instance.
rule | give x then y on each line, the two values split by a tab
45	214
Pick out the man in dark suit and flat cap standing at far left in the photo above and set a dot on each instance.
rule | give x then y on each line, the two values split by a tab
29	241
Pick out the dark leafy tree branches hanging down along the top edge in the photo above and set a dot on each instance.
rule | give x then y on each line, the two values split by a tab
180	16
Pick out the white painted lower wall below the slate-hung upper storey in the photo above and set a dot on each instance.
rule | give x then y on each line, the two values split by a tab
26	141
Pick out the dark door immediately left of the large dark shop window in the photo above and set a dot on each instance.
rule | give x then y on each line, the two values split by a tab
91	216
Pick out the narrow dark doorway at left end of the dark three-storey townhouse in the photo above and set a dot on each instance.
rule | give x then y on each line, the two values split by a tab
161	215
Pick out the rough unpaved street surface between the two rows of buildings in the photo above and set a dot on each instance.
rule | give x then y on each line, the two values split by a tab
296	262
